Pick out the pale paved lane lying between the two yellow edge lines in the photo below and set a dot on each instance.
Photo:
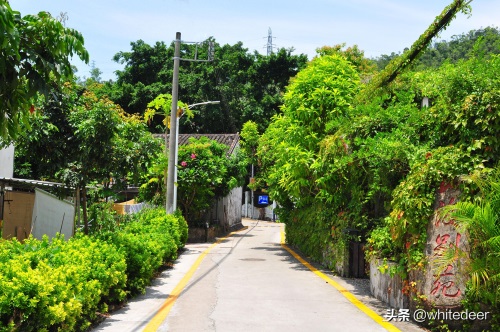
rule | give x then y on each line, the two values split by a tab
249	282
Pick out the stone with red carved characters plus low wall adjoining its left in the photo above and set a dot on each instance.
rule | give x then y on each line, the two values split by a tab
439	288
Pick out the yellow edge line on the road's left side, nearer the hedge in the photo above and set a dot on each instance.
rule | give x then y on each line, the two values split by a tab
164	310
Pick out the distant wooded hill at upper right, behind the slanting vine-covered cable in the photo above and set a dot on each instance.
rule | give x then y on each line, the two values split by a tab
483	41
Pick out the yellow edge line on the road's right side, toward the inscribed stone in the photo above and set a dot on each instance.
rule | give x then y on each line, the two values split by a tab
360	305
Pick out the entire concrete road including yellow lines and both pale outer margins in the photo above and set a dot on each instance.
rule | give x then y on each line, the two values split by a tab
250	282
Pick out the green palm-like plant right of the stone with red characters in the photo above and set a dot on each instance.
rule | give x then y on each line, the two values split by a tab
480	220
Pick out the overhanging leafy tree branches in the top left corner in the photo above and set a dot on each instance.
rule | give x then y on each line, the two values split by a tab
34	47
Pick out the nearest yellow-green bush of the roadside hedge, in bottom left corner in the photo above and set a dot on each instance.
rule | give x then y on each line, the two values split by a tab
61	284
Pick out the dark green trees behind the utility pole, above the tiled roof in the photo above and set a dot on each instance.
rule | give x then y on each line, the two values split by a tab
248	86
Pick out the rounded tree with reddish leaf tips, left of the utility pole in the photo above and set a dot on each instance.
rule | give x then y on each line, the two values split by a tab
78	138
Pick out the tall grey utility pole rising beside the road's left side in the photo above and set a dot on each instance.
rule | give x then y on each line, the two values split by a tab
169	183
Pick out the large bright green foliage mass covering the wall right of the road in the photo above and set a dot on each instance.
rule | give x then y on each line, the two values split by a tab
342	171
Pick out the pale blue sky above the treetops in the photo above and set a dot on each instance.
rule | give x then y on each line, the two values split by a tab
376	26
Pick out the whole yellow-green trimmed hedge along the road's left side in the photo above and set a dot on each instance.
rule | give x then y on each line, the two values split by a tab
62	285
